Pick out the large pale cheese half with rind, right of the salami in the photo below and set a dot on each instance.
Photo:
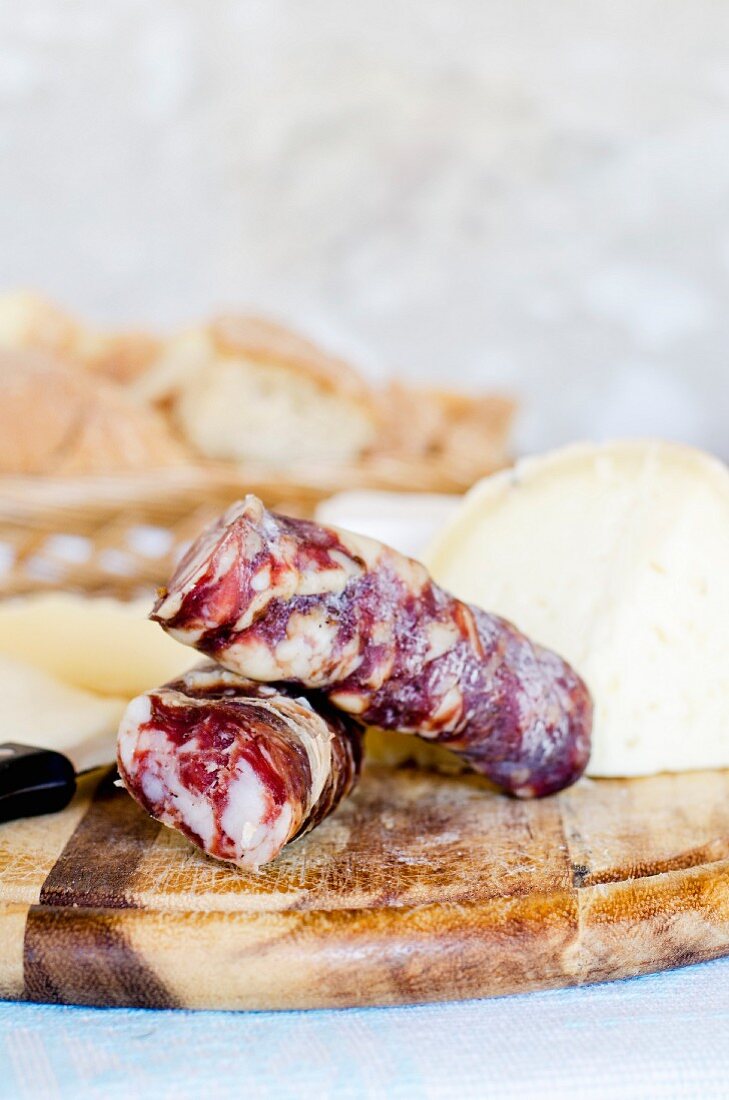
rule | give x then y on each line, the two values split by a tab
617	557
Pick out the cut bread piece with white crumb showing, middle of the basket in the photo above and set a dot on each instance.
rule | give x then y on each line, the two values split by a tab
249	391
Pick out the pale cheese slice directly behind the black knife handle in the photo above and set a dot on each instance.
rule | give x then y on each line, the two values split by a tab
36	709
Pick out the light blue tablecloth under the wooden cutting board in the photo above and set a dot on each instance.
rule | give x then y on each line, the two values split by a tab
660	1037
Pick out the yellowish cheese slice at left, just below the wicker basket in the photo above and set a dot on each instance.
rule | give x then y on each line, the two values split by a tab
100	645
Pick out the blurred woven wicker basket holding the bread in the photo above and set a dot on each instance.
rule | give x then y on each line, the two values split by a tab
123	535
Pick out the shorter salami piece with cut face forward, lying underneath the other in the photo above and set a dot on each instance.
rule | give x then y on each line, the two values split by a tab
240	768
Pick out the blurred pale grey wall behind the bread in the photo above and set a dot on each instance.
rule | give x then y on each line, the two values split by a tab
487	193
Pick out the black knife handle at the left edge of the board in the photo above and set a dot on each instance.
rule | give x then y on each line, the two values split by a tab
34	782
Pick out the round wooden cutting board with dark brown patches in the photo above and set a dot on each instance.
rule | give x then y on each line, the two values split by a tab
419	888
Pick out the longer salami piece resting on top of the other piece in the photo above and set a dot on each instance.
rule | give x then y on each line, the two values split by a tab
278	599
